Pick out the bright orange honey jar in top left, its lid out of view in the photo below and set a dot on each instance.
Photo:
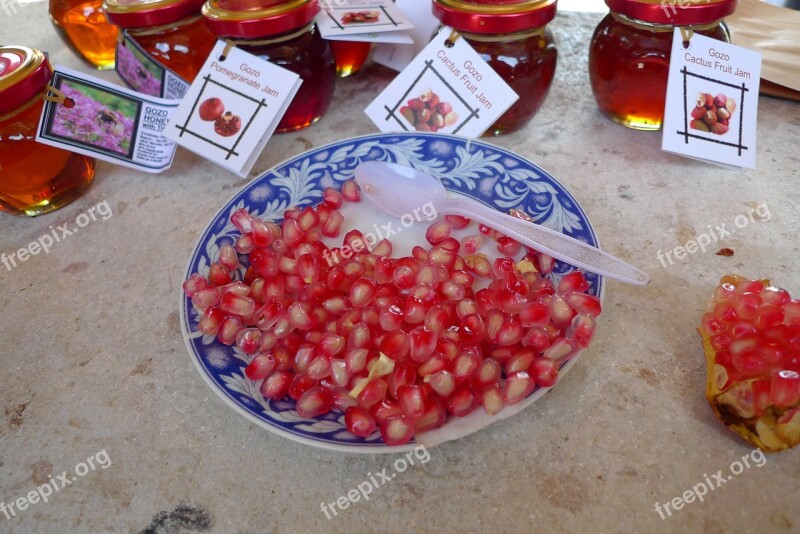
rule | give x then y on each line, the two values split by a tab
83	26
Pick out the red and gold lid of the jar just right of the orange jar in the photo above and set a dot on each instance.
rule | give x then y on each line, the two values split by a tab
148	13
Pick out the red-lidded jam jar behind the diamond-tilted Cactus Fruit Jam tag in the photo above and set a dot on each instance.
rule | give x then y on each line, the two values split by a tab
513	38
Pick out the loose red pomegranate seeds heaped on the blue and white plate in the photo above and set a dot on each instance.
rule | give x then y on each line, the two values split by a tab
396	344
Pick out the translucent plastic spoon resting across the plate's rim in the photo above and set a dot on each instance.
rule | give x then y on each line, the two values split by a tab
398	190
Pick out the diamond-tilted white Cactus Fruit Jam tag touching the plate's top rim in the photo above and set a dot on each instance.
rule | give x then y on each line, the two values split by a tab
447	88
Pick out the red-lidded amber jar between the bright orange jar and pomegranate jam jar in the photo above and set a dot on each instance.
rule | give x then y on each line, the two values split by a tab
172	32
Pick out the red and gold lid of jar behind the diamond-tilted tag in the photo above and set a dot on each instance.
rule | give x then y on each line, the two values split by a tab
494	16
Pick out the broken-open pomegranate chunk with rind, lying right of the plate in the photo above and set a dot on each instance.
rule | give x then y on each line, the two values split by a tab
752	341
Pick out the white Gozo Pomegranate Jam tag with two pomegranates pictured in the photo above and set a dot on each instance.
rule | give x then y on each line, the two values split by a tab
232	108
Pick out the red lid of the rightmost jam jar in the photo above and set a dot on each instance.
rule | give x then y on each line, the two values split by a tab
674	12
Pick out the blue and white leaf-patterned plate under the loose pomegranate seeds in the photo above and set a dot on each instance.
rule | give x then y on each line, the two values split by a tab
487	173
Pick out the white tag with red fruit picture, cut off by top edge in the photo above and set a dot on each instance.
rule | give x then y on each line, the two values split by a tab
347	17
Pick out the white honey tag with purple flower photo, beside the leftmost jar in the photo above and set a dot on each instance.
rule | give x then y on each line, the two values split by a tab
108	122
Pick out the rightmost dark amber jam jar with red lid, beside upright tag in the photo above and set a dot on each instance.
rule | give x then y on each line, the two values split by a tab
630	51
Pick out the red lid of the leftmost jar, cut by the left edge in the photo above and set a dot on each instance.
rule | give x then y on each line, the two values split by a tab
24	73
